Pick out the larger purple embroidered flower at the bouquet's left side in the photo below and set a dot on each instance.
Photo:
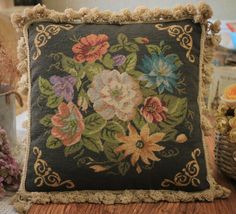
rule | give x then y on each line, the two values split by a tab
63	86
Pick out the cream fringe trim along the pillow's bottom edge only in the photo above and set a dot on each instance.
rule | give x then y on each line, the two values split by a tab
23	200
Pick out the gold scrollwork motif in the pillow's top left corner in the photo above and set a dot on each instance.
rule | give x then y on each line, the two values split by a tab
45	33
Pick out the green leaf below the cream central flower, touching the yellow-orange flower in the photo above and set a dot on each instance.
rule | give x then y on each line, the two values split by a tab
110	130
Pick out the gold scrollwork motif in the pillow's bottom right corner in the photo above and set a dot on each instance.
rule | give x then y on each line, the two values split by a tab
188	175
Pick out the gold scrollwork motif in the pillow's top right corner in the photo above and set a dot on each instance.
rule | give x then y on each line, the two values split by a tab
182	35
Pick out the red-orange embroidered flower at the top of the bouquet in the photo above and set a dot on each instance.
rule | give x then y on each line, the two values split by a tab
91	48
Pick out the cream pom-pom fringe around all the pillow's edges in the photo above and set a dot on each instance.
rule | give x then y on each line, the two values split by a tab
200	14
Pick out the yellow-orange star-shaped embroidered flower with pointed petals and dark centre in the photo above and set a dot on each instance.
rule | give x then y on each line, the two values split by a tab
140	146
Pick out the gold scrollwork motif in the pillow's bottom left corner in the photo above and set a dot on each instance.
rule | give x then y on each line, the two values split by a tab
45	175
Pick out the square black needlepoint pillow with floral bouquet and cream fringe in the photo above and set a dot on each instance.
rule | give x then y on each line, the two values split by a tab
115	104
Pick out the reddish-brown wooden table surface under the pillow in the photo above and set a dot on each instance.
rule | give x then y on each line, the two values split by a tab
224	206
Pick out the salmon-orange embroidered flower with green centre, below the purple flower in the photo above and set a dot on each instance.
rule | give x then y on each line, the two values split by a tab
68	124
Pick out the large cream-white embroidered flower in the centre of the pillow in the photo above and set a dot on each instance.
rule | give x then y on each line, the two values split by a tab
115	94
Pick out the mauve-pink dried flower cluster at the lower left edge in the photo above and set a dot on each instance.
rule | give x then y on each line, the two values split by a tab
9	169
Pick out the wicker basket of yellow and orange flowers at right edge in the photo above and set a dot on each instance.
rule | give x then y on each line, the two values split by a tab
225	149
